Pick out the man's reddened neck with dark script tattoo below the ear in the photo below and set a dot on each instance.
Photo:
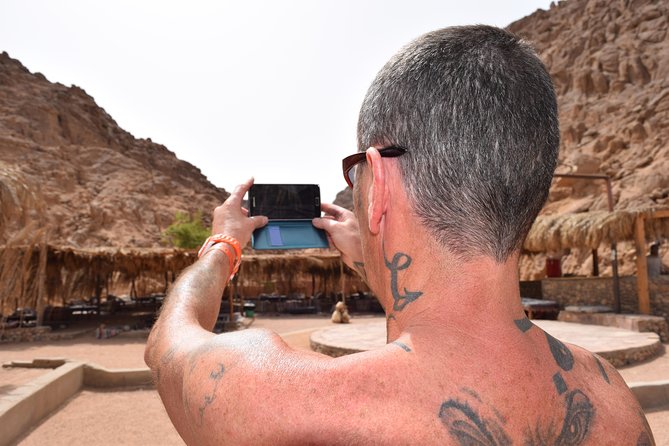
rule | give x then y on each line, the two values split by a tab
427	291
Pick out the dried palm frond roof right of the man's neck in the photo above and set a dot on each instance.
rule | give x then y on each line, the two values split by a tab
591	229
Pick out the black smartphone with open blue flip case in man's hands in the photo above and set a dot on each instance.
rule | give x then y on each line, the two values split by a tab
290	209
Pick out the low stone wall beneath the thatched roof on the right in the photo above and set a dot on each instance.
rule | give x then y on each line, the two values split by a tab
599	291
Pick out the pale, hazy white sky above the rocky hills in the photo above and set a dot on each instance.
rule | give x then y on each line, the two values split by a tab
262	88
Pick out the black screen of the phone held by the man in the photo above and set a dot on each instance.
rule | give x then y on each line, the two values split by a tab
285	201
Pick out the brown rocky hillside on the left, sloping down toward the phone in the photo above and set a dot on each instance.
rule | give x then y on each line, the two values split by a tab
66	163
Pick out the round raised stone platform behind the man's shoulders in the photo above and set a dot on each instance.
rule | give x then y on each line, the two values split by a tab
617	345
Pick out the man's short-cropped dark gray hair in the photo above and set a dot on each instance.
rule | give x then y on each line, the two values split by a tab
477	111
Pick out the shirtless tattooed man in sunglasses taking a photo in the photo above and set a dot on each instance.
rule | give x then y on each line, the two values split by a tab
439	222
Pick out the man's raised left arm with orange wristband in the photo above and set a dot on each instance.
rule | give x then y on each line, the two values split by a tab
192	305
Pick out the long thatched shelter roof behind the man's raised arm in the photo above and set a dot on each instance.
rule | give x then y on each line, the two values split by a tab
41	273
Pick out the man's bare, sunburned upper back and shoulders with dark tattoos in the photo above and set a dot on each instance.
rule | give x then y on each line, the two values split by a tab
414	391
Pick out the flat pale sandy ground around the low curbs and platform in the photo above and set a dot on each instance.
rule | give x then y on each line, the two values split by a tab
137	417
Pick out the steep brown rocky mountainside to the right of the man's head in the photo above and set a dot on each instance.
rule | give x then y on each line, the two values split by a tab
609	60
